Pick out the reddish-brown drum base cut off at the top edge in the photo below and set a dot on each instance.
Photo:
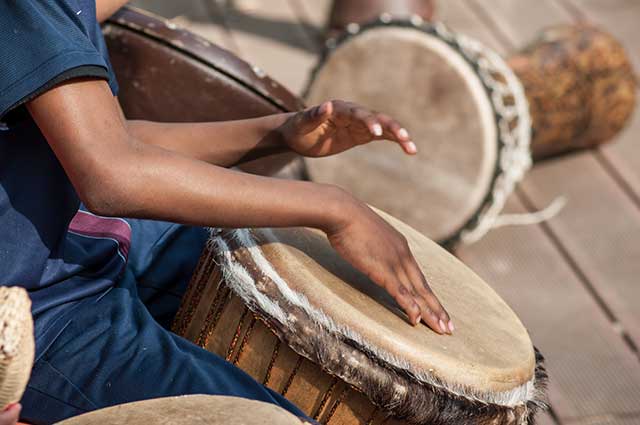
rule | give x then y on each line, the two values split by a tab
345	12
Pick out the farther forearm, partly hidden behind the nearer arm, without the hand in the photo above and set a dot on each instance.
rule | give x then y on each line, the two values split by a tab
225	143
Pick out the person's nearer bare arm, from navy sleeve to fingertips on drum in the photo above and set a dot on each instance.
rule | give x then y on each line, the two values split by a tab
117	175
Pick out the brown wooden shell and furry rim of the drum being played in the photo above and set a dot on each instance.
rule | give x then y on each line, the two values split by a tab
325	376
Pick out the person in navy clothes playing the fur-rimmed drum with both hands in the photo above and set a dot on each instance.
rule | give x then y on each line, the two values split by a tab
104	289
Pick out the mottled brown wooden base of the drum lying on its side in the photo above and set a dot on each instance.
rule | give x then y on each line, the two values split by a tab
580	85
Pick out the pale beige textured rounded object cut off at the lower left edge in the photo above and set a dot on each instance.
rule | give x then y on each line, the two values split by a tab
17	345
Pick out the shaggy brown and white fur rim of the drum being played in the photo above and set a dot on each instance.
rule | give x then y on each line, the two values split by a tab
414	395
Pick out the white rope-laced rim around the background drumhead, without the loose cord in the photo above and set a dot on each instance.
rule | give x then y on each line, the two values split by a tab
513	157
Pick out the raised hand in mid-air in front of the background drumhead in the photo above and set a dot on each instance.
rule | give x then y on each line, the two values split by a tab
336	126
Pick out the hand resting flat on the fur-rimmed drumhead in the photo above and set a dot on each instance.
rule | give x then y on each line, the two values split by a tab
374	247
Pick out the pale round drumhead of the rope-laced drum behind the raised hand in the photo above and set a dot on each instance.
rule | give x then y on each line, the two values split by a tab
431	90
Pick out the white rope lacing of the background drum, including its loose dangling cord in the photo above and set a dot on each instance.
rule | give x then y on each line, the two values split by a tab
513	121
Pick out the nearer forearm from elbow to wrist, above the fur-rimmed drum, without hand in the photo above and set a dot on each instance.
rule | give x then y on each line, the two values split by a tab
152	183
